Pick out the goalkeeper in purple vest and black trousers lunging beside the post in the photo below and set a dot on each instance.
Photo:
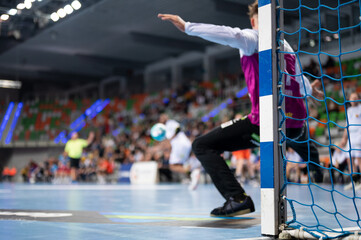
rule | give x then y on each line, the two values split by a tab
239	133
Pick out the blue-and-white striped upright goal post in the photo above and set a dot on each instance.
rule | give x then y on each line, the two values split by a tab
270	172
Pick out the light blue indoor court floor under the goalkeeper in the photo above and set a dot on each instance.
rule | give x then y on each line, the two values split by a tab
83	211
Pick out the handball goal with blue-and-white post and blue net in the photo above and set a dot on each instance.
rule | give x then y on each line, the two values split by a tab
317	195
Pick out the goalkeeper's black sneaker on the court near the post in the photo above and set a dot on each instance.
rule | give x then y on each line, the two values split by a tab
233	208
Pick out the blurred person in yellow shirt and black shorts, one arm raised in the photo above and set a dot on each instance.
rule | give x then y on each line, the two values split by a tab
74	149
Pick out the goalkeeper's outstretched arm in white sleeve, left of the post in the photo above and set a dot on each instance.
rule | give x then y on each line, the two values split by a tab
245	40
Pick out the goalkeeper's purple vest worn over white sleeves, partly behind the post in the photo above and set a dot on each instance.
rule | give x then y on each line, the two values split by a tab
295	108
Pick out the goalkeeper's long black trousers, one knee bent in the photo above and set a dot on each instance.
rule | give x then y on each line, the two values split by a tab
232	136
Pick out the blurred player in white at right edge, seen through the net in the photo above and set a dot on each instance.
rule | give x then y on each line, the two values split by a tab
352	136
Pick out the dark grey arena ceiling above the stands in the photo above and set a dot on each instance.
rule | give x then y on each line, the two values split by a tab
105	37
